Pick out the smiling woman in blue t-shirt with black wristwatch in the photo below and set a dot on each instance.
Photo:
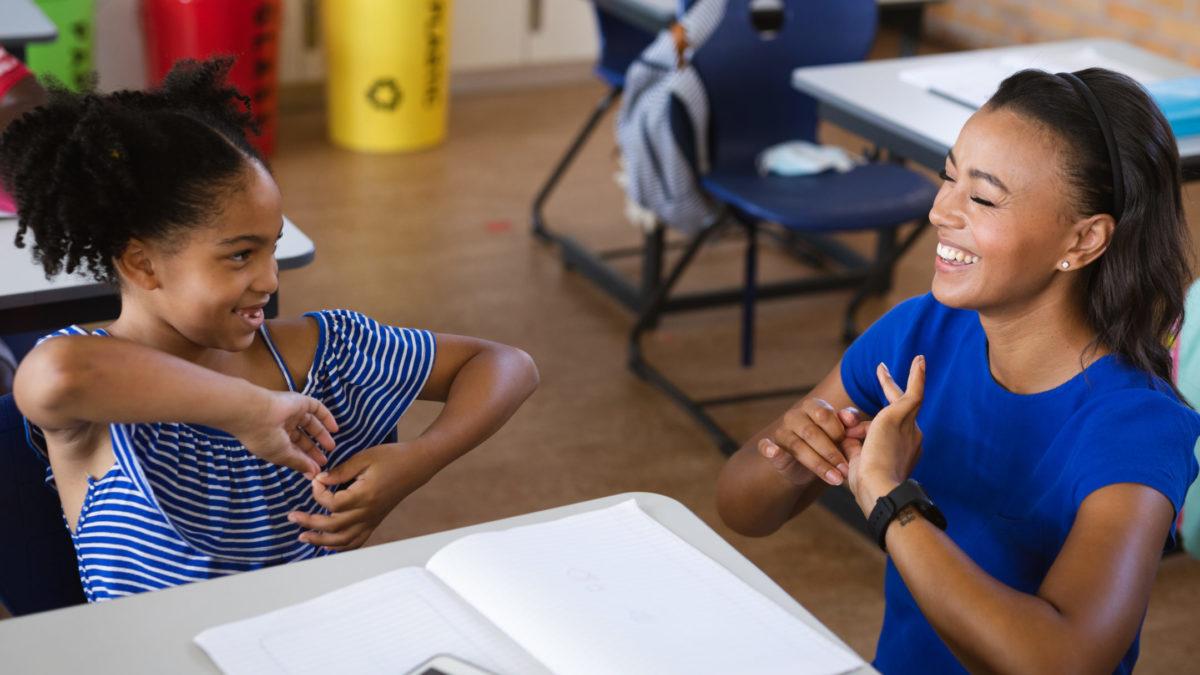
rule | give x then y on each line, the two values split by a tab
1047	443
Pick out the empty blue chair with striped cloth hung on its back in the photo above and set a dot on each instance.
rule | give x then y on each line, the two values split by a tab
753	106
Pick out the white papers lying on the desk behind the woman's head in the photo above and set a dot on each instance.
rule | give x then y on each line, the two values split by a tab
974	82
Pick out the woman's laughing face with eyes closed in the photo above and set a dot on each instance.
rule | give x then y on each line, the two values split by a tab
1003	216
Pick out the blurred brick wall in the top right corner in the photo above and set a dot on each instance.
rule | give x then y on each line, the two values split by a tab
1168	27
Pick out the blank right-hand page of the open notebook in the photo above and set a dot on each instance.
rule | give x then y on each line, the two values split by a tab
615	592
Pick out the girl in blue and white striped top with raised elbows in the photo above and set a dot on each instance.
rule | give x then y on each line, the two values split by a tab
191	438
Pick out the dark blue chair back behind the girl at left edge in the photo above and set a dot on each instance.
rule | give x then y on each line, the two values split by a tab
38	561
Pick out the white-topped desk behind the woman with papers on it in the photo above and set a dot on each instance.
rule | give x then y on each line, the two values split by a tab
869	99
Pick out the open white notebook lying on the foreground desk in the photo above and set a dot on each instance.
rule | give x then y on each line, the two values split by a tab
605	592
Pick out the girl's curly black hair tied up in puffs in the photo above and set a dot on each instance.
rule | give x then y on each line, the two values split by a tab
91	172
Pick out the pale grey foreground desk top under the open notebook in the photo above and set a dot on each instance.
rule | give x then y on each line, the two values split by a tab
153	632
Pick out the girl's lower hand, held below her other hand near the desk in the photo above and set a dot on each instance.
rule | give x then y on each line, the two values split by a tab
380	477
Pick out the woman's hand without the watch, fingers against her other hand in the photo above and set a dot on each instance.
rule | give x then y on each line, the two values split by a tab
808	441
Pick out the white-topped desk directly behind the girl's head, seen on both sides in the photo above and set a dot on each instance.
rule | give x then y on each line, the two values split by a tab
29	302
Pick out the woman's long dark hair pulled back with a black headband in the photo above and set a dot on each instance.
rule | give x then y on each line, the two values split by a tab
1135	292
